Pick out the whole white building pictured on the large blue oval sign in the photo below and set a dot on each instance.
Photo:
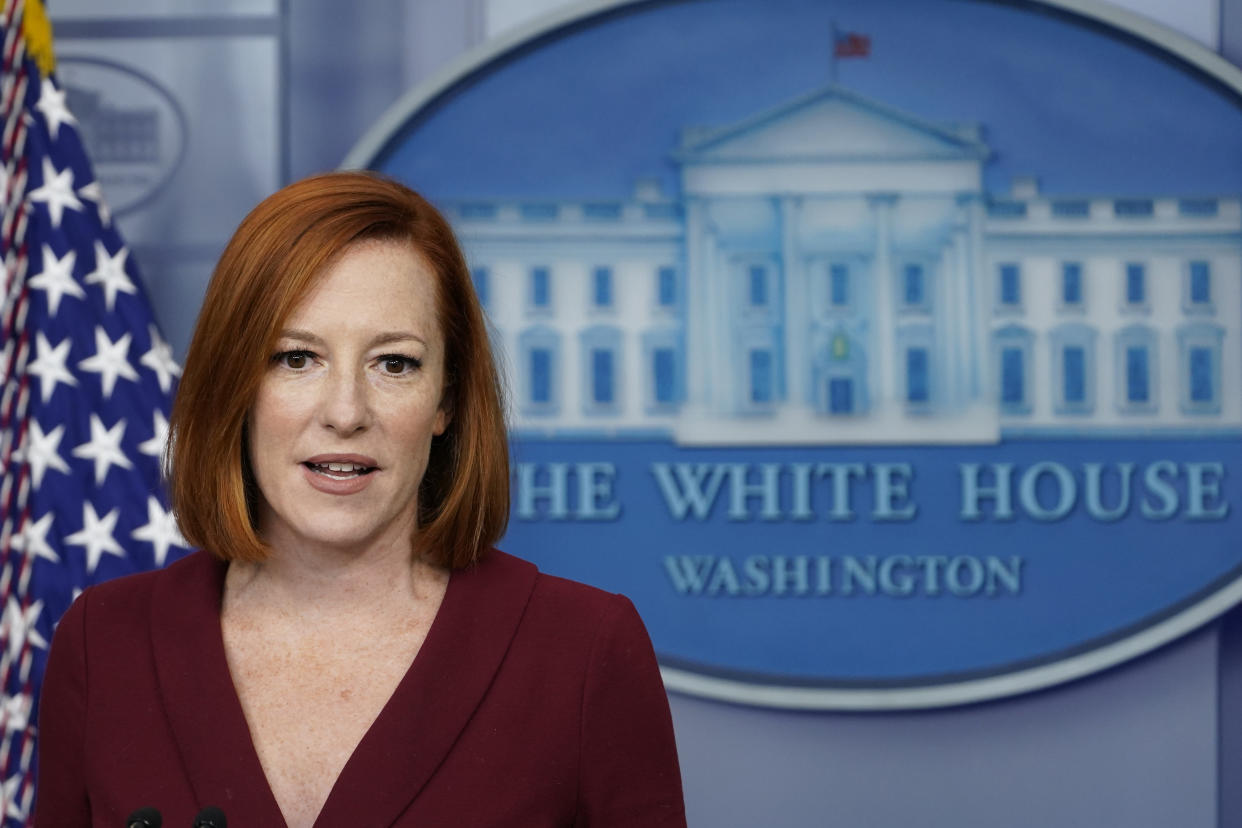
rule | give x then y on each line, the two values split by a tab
834	272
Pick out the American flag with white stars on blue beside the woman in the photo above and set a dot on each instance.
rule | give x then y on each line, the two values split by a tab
88	382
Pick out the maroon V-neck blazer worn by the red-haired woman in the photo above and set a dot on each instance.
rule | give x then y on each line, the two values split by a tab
533	702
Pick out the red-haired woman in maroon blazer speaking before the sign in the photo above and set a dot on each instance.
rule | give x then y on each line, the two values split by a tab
350	651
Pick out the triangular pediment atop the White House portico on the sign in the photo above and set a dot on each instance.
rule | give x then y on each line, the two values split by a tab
832	125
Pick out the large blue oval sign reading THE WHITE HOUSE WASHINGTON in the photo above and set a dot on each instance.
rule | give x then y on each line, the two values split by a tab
887	354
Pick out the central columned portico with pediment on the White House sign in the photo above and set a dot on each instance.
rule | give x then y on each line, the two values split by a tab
832	174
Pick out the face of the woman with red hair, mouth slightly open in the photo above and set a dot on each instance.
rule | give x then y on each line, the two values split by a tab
342	428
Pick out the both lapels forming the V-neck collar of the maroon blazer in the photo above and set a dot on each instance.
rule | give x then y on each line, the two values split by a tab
408	742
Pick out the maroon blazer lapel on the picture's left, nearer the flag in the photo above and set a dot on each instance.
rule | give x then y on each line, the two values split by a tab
199	697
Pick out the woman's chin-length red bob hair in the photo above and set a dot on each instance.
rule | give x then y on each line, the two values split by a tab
271	264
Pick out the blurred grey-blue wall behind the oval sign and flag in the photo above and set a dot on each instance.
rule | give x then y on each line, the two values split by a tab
261	92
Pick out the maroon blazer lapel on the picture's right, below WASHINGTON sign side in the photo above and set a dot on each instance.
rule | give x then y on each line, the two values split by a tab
437	698
